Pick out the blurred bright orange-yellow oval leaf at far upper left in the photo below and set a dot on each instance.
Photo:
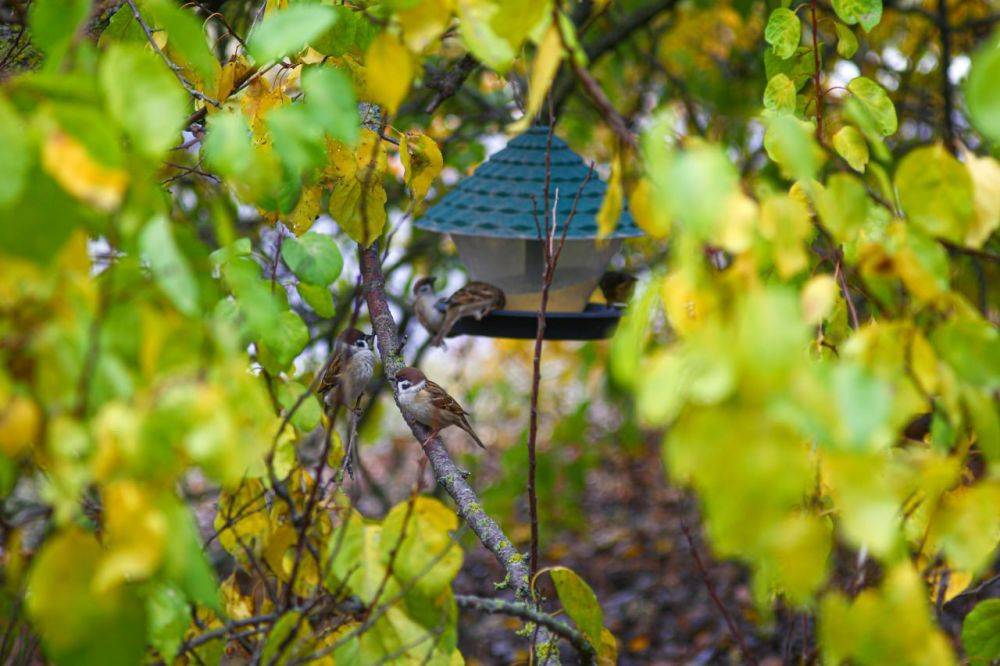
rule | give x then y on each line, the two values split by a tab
69	163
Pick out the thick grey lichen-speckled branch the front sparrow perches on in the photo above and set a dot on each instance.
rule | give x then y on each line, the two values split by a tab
448	475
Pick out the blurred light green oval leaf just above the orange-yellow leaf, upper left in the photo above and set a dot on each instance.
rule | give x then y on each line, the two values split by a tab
143	97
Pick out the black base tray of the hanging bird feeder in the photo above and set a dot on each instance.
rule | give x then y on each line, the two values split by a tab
596	322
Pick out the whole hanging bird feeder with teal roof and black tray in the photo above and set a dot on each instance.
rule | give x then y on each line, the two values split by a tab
491	218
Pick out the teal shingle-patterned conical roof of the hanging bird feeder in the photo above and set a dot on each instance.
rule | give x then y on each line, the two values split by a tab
496	200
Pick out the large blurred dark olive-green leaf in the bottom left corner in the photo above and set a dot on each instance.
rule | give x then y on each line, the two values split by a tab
76	625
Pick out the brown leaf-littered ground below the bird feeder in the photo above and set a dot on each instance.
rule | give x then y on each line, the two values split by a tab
635	555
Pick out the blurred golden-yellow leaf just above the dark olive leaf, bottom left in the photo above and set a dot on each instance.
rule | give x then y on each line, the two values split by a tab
135	531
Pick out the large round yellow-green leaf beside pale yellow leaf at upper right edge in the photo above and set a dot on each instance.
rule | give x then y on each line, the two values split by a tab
935	191
